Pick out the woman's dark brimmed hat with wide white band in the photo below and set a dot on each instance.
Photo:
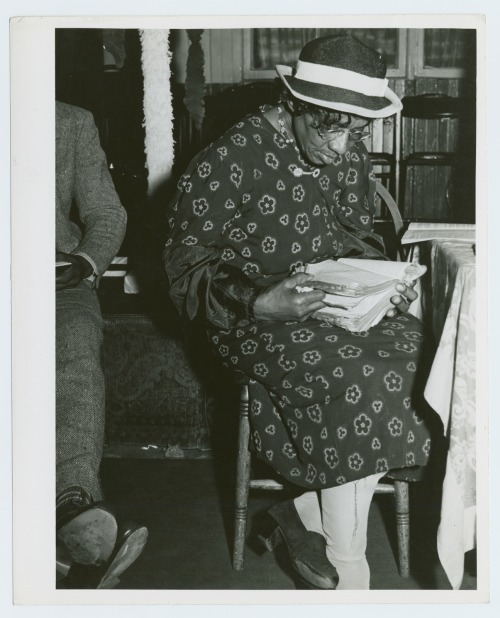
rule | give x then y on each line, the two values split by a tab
341	73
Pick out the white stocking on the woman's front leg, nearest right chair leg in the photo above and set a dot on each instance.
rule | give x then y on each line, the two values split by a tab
345	523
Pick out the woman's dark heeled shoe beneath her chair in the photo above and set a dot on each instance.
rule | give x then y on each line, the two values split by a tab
307	549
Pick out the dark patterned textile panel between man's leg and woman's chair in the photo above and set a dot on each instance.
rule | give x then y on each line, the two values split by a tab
154	397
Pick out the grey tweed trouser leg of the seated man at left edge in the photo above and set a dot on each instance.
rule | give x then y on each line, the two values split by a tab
79	390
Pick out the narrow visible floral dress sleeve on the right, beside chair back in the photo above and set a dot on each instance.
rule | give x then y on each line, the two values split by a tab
356	207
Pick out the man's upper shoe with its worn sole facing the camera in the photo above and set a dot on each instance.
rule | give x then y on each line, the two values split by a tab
88	532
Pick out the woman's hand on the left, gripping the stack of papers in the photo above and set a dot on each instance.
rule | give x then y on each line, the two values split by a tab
282	302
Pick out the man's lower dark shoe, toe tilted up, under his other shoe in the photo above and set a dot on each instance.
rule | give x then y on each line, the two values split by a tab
130	542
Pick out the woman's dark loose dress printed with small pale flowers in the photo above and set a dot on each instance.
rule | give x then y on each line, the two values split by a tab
327	406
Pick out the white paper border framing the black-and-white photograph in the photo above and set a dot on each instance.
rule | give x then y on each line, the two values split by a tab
32	88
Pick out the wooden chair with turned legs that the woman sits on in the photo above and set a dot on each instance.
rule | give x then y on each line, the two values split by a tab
395	482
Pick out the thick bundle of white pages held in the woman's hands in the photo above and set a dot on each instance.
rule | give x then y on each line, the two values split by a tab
359	291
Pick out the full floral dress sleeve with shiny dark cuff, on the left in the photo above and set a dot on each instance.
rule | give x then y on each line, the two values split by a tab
202	286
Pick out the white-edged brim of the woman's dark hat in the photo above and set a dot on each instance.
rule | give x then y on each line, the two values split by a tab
340	99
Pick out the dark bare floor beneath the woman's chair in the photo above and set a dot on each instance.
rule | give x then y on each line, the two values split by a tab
187	505
